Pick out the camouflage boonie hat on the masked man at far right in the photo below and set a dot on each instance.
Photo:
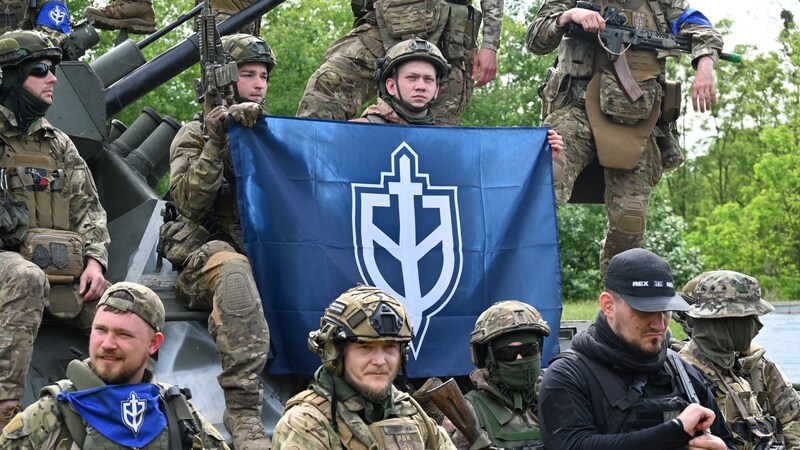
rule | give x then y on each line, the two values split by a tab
724	293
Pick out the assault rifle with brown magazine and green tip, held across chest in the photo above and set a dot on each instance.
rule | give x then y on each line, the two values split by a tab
617	38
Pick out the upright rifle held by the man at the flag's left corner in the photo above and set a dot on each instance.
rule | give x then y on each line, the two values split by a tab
217	76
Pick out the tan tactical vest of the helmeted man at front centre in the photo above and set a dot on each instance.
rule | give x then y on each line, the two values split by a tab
395	433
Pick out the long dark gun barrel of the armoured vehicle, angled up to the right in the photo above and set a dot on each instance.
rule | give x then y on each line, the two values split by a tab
174	61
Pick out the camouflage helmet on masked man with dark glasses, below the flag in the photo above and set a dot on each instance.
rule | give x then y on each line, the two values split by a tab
503	317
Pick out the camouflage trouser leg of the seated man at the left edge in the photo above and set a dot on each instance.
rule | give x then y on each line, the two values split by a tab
23	297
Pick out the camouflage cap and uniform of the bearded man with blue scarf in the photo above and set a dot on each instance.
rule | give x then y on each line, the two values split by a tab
44	424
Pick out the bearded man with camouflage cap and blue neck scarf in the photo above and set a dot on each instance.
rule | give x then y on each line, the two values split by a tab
111	399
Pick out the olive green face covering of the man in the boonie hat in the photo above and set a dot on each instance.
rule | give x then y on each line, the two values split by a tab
720	339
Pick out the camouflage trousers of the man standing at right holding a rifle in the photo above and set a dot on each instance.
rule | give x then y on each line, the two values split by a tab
627	192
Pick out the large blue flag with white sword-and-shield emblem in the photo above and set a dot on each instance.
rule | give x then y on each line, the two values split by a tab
447	220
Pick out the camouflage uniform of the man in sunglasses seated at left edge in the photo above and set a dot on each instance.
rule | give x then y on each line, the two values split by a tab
24	287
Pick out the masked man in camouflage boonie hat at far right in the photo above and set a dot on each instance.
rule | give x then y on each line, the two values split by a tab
758	402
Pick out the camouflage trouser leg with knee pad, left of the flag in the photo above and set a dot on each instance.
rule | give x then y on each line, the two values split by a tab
215	278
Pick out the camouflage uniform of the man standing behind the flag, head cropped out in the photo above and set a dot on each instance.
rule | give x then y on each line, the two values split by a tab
344	81
